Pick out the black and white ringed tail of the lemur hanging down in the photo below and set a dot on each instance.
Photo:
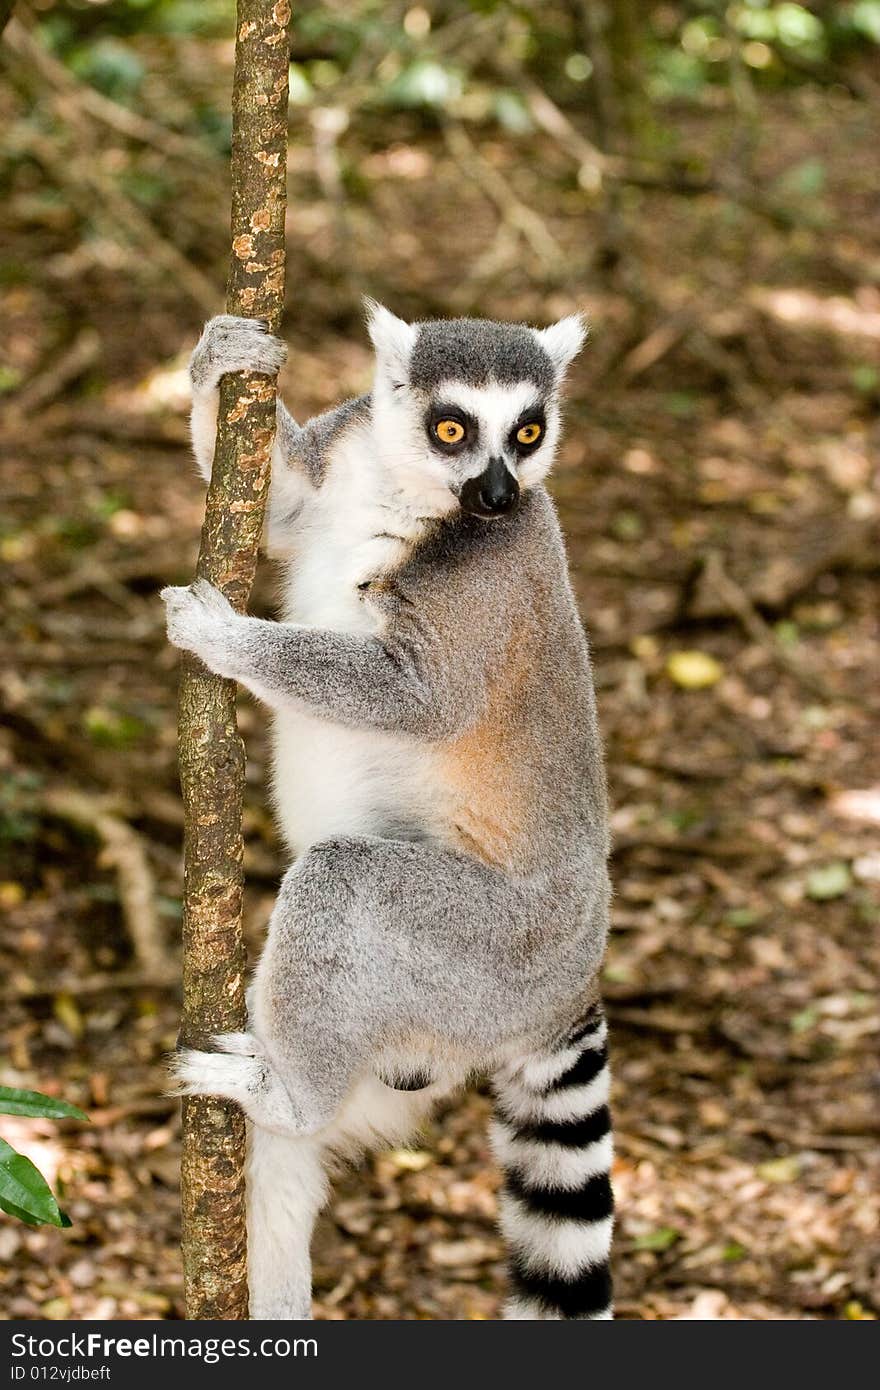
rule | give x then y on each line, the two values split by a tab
554	1142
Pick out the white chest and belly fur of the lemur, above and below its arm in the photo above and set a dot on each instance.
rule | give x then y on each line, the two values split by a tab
332	780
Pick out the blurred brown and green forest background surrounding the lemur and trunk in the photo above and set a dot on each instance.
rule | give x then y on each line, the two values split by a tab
703	181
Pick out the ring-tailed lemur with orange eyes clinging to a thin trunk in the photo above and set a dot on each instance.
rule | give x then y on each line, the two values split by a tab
440	780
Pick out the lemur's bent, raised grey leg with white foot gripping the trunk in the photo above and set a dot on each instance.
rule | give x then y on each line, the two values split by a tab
375	942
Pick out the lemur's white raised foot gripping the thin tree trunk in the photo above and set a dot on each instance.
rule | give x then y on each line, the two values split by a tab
241	1072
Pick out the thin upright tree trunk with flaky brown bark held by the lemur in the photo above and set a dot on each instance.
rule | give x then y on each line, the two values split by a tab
212	754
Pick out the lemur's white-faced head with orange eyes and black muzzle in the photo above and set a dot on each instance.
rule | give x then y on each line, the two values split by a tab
466	412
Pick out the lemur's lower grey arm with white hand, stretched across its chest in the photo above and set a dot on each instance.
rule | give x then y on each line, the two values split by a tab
409	682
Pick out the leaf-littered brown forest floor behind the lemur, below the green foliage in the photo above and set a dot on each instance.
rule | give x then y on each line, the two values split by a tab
717	493
